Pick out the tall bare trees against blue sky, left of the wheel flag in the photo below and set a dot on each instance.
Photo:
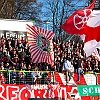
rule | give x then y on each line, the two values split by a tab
58	11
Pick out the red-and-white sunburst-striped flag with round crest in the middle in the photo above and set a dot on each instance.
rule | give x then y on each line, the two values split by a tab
40	44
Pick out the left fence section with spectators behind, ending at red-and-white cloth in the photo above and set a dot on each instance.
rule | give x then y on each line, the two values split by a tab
25	77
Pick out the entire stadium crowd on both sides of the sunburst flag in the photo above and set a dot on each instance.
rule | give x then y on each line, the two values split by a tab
15	56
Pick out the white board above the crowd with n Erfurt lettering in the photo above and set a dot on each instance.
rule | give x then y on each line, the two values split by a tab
13	28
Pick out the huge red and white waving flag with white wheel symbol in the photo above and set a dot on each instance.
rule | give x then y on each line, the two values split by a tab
85	22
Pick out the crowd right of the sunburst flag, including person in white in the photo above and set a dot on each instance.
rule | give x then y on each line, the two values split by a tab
72	52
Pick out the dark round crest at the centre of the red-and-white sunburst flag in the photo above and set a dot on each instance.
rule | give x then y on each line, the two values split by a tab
43	44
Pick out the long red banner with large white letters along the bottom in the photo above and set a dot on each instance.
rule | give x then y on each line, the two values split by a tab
24	92
